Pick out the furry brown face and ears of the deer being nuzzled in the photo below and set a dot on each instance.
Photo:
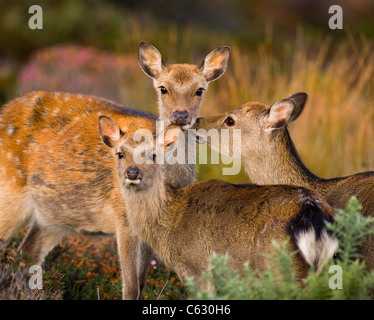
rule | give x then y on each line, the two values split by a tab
181	81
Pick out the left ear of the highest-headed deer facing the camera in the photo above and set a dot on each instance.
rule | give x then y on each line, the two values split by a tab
150	59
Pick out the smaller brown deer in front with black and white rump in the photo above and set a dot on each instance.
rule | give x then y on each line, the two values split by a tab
184	226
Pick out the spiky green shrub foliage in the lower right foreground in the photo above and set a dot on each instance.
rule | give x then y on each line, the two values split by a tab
350	227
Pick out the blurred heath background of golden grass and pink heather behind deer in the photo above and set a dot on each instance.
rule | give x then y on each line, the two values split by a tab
277	47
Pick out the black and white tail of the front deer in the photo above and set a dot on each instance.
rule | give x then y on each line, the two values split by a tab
308	231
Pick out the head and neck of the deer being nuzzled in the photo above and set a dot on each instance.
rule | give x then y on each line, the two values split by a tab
180	88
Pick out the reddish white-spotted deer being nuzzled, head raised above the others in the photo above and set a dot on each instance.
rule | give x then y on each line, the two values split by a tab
57	175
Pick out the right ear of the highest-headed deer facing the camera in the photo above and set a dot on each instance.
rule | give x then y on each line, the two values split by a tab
215	63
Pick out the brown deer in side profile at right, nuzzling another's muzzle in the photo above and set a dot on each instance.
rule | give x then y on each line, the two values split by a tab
270	157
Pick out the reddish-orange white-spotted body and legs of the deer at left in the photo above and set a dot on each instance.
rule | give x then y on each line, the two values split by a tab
57	173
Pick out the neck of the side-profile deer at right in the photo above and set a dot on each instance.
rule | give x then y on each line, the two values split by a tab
281	165
